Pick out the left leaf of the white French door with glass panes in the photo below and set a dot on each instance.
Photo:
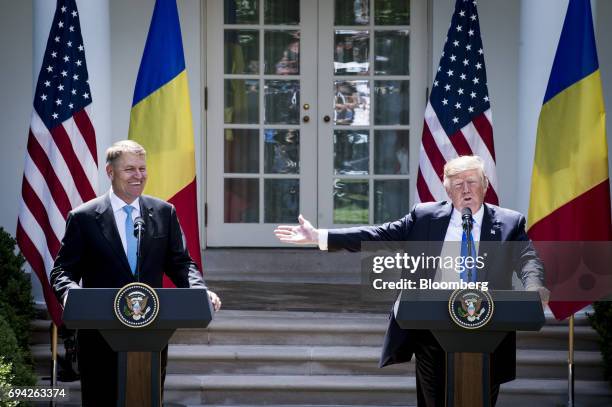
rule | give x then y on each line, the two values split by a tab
259	129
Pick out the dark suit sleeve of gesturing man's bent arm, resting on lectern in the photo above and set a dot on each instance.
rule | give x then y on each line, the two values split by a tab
527	263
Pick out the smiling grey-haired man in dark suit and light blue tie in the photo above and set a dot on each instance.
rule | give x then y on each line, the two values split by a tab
98	250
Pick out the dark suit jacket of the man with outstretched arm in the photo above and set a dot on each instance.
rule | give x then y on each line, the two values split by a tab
429	222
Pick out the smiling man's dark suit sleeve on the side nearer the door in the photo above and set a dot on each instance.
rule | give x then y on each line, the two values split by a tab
179	266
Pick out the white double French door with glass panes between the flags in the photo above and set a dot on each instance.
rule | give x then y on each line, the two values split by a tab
310	110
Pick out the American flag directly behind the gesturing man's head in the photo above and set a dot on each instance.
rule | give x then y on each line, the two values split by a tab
458	117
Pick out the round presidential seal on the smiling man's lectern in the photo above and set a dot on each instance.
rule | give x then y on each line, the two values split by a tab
136	305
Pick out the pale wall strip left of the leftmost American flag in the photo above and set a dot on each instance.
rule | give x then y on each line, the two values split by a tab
15	103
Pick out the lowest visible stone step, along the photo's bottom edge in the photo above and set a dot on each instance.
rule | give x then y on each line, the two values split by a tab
259	390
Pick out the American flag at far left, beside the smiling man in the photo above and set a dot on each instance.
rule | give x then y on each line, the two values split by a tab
61	165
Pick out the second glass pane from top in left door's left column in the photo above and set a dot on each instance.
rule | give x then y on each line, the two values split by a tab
241	52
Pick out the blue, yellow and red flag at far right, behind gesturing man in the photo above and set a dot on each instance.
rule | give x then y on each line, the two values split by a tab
570	198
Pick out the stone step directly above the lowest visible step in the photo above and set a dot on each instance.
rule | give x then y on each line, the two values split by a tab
335	360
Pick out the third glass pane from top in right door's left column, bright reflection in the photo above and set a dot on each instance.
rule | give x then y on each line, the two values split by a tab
352	103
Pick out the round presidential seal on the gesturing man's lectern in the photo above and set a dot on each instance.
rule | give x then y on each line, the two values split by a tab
470	309
